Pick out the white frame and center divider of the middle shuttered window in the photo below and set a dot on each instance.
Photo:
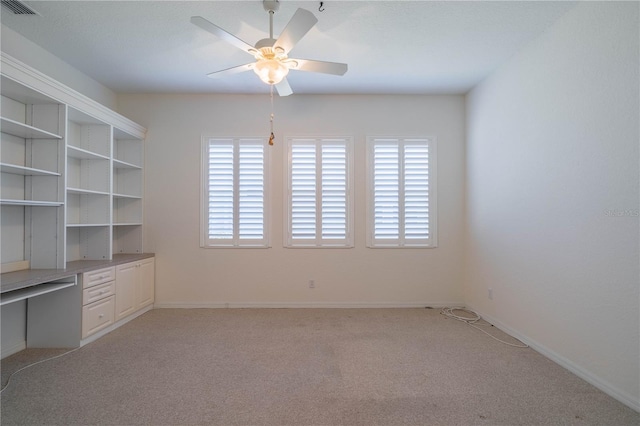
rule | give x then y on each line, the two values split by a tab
318	241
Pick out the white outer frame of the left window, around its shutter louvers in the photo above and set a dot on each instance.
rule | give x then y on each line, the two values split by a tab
235	242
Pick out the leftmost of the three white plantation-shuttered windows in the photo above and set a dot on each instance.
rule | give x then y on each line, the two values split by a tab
234	192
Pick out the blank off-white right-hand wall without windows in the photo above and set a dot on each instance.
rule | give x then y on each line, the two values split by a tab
552	195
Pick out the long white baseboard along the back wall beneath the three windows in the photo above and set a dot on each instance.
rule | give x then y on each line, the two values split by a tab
294	305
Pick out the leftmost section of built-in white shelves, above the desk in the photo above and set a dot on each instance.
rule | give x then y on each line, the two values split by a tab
32	183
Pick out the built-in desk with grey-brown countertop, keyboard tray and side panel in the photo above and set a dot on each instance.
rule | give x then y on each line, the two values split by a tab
54	307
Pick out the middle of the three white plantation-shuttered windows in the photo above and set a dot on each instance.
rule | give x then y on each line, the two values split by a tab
319	193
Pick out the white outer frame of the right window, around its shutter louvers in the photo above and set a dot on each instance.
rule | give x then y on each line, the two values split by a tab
401	243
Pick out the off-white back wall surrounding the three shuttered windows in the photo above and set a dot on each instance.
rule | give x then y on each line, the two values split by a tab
188	275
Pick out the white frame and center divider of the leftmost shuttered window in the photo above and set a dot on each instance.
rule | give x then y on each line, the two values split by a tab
235	241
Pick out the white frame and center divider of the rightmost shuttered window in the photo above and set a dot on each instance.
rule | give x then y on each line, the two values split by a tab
402	242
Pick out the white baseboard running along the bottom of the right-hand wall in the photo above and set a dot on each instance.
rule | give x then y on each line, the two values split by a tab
587	376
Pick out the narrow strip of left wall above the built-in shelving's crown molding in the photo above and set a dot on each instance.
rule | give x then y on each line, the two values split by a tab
35	56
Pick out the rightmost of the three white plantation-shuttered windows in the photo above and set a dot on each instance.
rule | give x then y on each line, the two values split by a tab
402	192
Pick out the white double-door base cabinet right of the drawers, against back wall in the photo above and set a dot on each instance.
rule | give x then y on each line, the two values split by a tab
134	287
